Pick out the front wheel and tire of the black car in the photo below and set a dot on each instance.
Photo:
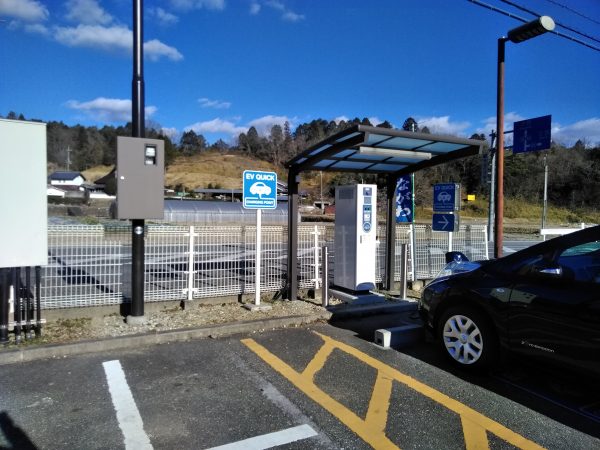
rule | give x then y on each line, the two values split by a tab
467	338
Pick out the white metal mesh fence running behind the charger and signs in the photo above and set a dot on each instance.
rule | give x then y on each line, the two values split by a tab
91	265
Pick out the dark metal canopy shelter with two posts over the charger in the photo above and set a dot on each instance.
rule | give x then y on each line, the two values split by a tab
365	149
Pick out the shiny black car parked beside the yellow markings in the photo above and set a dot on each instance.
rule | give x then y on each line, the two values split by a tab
542	302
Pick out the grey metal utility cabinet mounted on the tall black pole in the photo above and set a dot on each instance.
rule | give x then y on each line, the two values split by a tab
140	178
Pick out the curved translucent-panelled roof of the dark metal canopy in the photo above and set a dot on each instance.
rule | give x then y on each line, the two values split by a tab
367	149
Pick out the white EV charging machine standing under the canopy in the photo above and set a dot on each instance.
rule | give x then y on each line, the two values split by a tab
355	237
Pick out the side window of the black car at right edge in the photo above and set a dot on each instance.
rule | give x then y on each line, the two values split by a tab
582	262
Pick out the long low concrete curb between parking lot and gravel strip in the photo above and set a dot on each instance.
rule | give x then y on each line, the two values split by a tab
142	340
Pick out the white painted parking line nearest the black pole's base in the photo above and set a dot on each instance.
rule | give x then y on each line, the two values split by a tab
128	415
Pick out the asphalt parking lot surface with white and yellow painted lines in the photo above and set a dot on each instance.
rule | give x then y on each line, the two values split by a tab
324	386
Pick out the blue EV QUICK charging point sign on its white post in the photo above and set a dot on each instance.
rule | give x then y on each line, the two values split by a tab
259	192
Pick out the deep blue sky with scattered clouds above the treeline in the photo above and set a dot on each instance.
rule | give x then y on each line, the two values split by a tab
220	66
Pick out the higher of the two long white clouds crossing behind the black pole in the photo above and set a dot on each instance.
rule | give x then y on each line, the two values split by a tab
117	38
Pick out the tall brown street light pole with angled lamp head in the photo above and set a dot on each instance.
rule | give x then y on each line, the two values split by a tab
517	35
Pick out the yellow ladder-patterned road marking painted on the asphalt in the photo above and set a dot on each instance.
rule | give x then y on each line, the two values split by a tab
372	429
